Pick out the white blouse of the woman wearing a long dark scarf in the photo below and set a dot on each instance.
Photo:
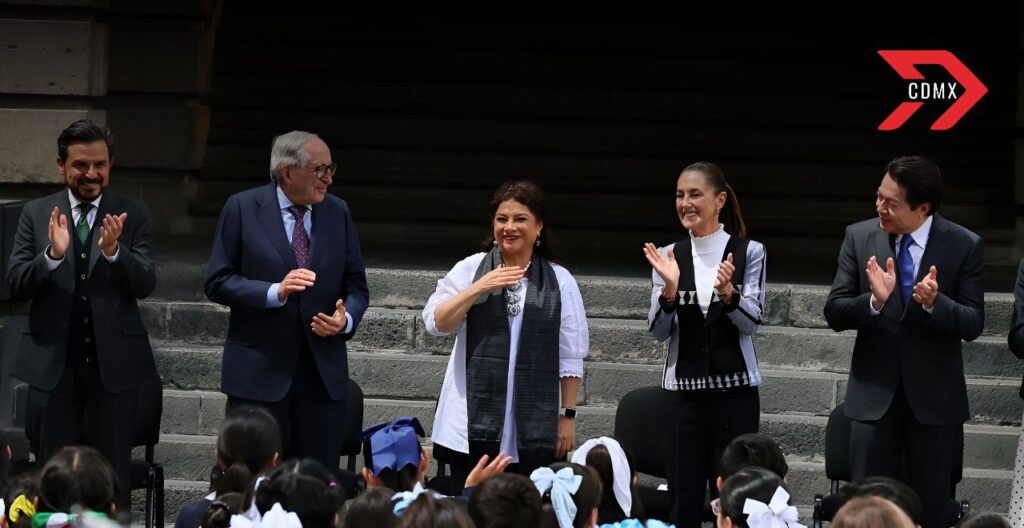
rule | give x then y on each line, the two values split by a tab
451	420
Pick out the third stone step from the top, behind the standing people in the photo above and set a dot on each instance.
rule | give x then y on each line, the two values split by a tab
389	375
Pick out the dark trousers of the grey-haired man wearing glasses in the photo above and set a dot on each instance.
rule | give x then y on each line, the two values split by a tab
313	426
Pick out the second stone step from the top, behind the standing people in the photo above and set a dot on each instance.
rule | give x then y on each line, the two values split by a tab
623	341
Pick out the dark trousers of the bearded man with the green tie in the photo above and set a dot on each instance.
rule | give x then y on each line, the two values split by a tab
80	412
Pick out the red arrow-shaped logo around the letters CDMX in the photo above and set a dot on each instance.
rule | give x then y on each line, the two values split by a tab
904	63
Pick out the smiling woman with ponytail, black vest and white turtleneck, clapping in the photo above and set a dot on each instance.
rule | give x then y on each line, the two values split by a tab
708	299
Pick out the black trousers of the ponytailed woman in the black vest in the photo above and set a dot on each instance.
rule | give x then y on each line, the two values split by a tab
701	425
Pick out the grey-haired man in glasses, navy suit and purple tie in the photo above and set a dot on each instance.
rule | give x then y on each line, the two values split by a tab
287	256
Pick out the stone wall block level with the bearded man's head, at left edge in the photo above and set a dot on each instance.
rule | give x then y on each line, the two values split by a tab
29	138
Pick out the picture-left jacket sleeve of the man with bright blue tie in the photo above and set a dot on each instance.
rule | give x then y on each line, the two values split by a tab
846	307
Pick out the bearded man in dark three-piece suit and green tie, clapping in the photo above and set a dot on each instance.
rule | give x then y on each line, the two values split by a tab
84	257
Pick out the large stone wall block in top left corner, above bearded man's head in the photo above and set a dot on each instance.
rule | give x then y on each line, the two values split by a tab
54	58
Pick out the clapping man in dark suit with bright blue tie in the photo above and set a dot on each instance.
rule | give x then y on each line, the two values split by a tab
907	395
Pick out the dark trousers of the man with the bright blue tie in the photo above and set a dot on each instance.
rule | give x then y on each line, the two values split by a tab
926	458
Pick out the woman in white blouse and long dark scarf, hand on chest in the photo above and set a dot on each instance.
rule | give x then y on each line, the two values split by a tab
522	337
